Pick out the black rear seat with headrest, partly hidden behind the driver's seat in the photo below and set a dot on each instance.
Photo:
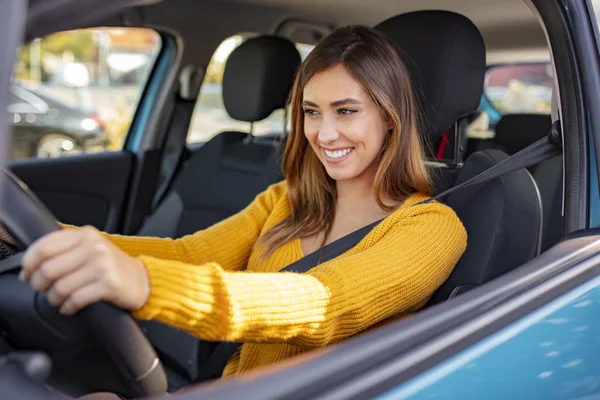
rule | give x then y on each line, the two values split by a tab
514	132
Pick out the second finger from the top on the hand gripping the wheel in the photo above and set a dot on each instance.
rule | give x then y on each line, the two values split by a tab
55	268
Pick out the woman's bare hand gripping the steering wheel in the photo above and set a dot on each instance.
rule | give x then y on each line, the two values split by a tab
78	267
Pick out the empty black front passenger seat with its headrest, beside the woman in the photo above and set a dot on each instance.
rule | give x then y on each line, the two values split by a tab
225	174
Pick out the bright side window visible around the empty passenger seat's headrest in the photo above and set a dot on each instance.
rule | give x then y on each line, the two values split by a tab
210	117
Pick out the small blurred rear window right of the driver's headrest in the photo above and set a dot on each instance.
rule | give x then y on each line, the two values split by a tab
520	88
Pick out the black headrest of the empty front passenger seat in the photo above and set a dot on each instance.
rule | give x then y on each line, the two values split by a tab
258	77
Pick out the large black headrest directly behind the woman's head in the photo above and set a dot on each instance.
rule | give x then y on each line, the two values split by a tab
445	54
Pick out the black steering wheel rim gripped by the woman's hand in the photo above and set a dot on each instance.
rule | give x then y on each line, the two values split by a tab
27	219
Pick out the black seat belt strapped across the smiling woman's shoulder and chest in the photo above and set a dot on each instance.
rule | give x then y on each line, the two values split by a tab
543	149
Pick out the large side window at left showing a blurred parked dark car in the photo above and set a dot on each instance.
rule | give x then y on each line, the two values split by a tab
77	91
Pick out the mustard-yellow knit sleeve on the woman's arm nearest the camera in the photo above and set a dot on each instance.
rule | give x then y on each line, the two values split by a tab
338	299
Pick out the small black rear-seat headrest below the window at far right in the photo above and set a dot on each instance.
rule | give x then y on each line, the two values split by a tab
514	132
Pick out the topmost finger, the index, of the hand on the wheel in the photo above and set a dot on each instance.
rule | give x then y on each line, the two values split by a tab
50	246
